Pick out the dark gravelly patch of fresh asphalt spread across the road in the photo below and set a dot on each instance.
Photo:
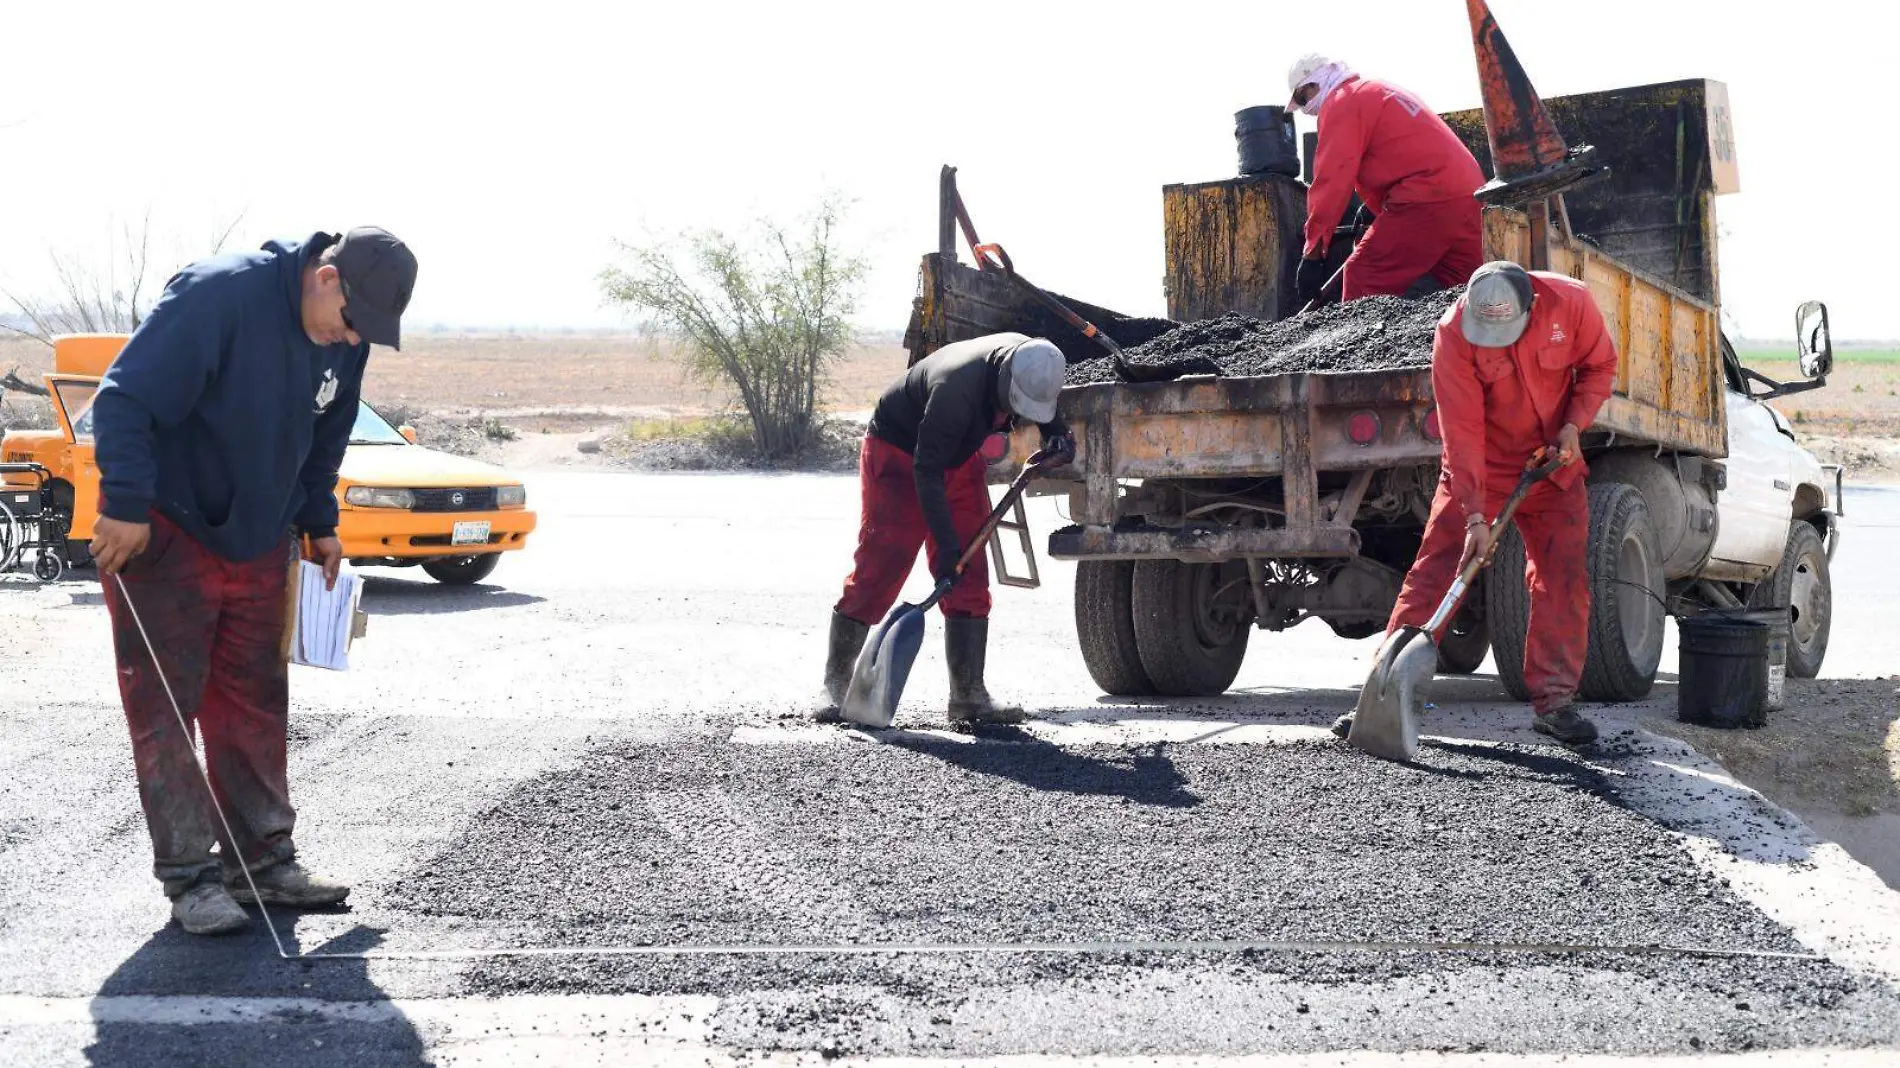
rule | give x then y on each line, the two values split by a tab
1012	839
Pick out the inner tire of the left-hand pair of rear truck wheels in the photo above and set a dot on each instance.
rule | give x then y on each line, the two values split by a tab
1192	624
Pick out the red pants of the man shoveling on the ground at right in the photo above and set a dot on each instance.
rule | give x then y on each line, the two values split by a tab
1557	531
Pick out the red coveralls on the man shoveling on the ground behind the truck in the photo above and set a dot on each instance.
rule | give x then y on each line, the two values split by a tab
1498	406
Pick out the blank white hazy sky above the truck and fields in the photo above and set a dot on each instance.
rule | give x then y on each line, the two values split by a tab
512	143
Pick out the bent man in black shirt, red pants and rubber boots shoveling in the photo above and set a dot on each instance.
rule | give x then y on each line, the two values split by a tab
922	484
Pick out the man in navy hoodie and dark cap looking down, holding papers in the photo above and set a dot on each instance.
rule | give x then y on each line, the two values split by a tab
219	432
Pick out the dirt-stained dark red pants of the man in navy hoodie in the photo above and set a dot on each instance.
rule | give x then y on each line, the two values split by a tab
218	628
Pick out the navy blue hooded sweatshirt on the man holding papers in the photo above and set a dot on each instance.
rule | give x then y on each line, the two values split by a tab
223	415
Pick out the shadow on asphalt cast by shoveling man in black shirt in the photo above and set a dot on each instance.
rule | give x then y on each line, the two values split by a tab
1145	774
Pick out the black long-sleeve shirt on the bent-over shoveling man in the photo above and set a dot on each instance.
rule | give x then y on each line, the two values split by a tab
941	411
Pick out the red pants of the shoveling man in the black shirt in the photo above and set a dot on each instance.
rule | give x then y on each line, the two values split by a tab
892	533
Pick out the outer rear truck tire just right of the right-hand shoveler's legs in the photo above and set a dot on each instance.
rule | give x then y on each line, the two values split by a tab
1627	619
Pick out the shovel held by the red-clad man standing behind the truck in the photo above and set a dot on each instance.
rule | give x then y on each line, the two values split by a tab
1386	721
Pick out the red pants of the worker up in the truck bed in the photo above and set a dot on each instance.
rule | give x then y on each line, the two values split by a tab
1413	240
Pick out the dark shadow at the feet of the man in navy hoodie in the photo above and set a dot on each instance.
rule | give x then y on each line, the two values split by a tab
149	1012
